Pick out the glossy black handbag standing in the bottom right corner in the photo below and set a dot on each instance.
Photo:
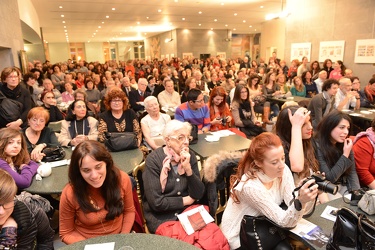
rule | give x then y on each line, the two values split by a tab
352	231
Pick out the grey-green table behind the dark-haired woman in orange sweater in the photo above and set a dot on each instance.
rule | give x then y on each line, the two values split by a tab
54	184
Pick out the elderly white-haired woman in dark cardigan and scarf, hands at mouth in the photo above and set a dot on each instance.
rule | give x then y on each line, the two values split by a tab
171	178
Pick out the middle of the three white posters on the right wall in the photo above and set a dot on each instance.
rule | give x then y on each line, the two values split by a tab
333	50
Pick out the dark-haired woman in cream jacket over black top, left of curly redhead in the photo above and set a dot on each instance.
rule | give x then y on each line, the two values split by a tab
78	126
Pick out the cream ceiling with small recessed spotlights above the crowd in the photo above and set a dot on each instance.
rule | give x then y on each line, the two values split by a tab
139	19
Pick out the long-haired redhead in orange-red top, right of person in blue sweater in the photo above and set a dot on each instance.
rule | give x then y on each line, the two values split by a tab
220	115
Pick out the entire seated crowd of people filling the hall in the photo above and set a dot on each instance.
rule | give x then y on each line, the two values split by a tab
91	99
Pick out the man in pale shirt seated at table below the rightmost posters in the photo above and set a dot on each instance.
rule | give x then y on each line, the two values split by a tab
345	98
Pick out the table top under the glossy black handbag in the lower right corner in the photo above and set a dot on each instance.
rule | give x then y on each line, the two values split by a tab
325	224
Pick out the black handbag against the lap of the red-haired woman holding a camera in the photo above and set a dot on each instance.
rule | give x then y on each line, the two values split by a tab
258	232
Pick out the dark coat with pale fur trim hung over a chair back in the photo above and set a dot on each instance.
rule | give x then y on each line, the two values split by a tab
217	170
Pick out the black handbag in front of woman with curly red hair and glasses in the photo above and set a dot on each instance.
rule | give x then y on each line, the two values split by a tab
120	141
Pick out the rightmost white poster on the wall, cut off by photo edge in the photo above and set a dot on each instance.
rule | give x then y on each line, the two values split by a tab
365	51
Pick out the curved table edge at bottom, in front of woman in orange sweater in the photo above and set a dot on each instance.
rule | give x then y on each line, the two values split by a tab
134	241
